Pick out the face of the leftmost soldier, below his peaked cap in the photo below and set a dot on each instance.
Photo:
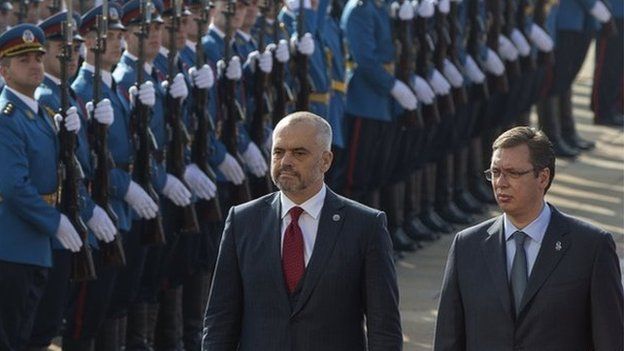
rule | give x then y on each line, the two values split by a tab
23	73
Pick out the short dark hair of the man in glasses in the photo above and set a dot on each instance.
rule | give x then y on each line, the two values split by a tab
541	153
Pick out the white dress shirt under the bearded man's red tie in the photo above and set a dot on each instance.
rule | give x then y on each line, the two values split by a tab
308	221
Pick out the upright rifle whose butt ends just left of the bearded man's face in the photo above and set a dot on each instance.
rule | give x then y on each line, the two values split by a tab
260	185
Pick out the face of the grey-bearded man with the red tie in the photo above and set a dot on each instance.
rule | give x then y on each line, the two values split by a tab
298	160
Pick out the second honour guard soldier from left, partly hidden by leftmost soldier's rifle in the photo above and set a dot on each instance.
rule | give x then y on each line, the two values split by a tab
51	310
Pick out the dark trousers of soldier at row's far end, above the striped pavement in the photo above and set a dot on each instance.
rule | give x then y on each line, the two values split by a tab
570	53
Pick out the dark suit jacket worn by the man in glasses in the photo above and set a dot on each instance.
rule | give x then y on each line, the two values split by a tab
573	299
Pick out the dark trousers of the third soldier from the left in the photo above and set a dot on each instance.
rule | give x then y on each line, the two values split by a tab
90	301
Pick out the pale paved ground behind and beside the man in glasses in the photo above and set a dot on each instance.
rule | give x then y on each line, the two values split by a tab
590	187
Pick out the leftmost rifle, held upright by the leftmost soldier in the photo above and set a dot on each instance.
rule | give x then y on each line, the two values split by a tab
82	268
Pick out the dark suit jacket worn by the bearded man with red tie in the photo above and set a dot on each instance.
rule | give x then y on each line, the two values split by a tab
349	282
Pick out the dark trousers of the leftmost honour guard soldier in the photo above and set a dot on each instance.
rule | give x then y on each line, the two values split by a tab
22	289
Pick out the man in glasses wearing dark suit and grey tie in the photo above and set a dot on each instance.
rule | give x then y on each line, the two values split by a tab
533	278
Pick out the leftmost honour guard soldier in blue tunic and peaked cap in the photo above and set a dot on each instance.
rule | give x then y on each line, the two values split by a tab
29	185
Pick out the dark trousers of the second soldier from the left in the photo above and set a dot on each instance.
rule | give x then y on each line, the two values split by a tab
47	323
